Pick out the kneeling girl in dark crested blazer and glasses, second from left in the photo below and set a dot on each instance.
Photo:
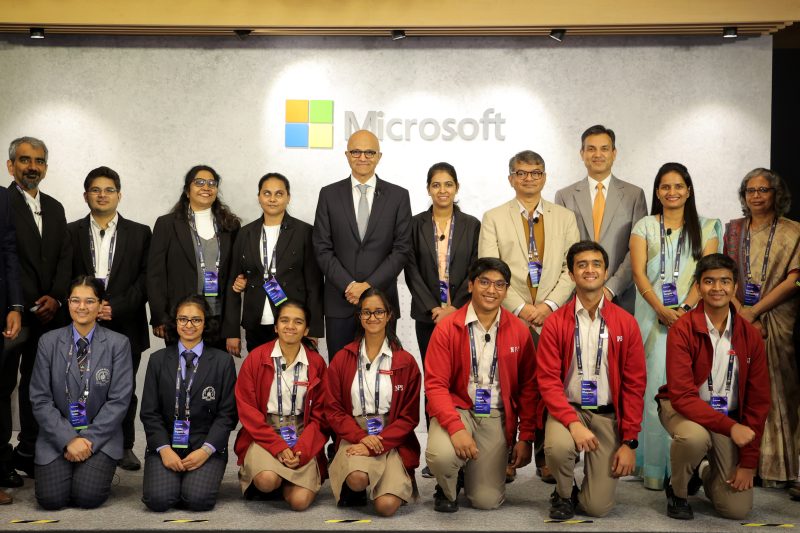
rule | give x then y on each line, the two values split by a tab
187	447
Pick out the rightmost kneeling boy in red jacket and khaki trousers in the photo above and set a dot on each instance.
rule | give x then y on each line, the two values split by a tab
716	399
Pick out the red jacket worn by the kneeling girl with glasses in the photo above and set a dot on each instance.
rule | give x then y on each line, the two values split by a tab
403	414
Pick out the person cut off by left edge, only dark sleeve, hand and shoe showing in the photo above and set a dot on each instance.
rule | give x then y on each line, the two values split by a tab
11	299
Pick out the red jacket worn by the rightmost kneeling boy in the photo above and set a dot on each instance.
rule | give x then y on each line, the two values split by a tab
690	355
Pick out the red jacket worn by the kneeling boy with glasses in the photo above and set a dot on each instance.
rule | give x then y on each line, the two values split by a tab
448	365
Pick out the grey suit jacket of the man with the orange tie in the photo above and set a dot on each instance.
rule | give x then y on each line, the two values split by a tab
625	205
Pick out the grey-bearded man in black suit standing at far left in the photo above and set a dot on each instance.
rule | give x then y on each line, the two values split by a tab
44	253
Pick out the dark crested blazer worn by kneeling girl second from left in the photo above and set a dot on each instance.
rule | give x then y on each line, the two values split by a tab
212	404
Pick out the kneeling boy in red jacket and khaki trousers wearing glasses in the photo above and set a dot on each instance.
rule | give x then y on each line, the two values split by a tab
480	386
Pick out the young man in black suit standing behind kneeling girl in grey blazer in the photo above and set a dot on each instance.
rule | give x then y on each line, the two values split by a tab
107	246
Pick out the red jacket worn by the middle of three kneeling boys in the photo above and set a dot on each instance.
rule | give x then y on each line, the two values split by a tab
627	374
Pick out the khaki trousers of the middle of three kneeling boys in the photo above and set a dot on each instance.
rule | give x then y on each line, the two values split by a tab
597	491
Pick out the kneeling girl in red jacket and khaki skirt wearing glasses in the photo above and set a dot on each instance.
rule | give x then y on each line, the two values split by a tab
372	404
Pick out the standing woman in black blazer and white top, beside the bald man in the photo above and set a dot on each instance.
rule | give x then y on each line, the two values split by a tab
290	261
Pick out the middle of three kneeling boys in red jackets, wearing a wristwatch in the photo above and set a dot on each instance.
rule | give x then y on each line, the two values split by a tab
592	378
